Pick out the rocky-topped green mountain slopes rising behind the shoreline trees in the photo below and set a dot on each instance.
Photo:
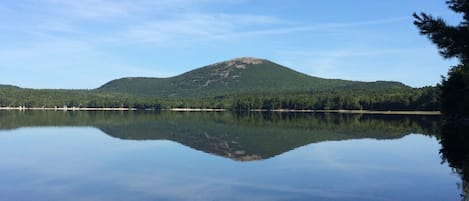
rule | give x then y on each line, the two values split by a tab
237	76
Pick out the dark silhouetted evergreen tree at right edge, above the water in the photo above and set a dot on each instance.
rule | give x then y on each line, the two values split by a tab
452	42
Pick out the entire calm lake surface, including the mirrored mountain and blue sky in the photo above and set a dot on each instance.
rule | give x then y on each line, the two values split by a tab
226	156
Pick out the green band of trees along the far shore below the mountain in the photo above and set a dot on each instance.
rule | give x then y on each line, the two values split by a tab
425	99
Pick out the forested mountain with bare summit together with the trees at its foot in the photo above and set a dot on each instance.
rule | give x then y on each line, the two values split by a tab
241	84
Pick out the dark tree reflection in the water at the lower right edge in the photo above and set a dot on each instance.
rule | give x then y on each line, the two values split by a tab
454	142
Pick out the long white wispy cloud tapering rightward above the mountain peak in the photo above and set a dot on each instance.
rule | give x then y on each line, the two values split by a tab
224	26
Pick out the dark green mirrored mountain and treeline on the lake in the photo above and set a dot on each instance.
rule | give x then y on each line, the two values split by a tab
241	137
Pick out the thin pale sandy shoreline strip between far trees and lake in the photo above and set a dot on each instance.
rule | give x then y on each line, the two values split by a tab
224	110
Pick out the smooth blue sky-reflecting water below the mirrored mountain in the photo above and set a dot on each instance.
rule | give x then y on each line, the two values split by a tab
84	163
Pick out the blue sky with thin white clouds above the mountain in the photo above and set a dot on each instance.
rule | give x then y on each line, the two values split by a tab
72	44
